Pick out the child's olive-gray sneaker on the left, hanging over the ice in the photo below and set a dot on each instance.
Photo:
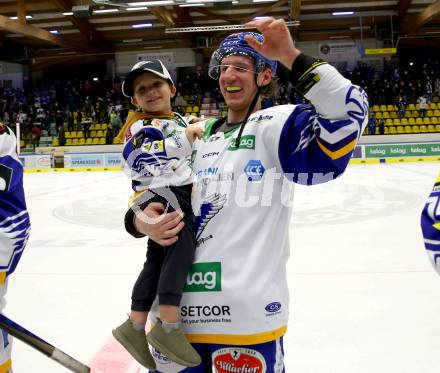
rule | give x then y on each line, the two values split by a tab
135	342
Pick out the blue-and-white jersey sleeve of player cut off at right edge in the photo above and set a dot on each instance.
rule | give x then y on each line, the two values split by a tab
431	225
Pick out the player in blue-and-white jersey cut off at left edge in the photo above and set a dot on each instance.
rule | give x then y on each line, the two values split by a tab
14	226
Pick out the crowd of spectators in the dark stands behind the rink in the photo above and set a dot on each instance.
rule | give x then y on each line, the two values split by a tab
57	105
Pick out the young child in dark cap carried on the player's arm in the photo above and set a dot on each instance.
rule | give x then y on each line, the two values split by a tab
156	153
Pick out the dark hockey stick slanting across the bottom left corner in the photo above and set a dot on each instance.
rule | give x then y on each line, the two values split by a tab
41	345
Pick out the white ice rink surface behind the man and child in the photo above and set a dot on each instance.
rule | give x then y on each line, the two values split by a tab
364	297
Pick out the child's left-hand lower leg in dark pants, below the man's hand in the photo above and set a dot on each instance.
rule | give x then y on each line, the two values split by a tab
145	288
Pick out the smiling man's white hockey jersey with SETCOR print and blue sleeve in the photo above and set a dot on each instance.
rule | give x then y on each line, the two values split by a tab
236	291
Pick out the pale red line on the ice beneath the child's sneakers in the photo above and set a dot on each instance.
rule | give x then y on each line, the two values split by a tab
112	358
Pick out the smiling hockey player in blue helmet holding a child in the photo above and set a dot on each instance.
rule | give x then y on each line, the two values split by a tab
236	301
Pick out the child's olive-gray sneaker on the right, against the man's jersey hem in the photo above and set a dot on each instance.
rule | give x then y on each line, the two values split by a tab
174	346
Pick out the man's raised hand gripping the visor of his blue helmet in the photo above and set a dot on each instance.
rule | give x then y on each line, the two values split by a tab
278	44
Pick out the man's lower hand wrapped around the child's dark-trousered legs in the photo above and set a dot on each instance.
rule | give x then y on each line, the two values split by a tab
164	232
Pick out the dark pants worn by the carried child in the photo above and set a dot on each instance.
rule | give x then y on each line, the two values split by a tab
166	268
